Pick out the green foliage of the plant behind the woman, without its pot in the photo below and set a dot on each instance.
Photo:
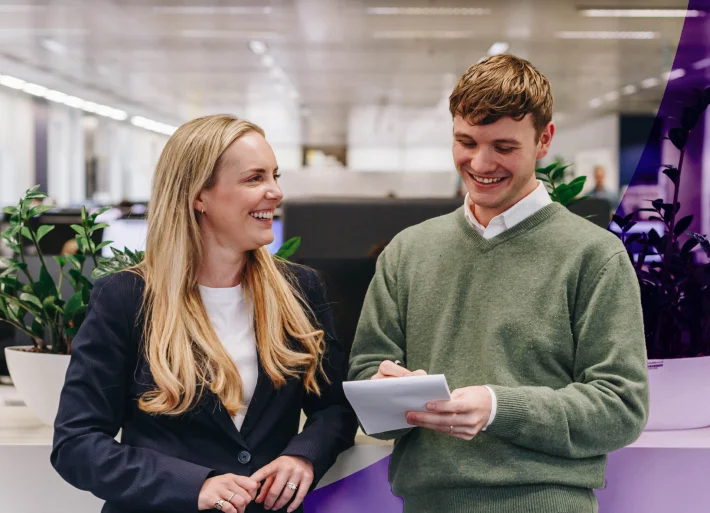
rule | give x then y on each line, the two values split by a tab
55	321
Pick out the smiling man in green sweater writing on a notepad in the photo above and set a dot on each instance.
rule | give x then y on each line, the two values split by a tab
531	312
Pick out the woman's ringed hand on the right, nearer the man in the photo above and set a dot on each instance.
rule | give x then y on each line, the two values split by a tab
286	469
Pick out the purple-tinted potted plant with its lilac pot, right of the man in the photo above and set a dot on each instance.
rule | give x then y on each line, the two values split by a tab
675	296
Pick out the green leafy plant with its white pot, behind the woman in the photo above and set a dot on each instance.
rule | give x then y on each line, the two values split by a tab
38	370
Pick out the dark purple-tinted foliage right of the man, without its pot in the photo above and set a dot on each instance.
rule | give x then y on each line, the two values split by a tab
675	290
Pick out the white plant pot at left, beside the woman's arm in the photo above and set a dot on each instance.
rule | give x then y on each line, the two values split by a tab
39	379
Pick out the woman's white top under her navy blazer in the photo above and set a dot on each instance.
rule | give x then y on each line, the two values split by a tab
232	317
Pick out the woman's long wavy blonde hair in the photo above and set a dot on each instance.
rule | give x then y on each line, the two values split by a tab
183	351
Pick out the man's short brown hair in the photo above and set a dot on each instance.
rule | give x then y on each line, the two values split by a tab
499	86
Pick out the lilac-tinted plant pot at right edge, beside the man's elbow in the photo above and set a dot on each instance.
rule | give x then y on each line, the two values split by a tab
679	392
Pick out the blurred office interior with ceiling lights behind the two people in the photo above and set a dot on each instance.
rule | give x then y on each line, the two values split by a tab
353	95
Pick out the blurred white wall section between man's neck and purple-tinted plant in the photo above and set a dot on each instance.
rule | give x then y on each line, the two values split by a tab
594	142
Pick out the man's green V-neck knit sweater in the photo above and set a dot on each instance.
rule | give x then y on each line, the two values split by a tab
548	314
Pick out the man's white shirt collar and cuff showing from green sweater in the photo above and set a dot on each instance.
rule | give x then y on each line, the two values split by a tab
523	209
